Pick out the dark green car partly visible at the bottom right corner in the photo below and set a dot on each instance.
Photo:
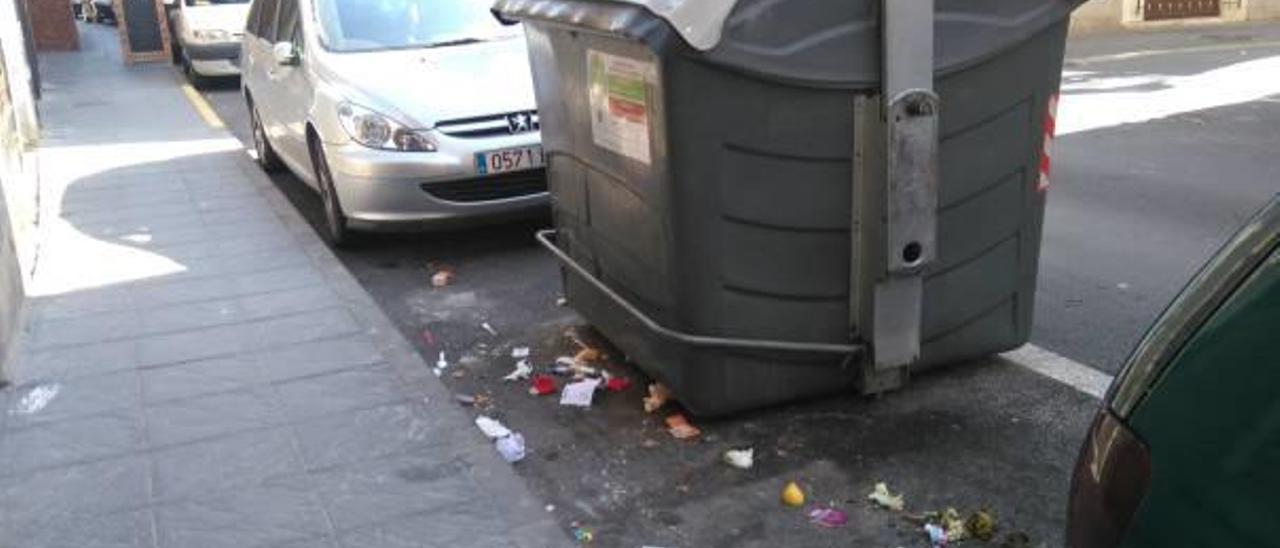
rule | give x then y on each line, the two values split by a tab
1186	451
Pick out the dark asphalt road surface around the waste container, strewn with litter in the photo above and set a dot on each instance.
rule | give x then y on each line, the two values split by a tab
1133	211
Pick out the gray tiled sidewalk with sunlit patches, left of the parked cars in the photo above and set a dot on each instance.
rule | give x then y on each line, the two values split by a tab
196	368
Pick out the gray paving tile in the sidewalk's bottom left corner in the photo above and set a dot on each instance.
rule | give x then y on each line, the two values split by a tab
115	531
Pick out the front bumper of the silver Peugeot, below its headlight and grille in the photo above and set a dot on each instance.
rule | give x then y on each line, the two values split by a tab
392	189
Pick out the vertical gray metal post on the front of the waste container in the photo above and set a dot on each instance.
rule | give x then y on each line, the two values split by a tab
909	198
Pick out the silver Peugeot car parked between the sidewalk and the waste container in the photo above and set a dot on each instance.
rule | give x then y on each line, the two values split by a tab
401	113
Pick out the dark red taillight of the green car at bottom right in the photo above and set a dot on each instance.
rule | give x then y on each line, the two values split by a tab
1109	485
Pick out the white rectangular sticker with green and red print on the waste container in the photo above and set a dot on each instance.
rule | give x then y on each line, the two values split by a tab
619	90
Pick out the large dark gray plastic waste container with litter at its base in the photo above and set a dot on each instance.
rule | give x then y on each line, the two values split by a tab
719	179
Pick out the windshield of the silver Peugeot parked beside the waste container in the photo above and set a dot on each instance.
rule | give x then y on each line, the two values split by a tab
383	25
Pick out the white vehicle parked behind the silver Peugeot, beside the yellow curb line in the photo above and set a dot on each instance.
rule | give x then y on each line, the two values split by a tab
208	36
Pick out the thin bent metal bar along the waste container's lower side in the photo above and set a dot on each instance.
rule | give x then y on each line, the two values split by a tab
546	236
